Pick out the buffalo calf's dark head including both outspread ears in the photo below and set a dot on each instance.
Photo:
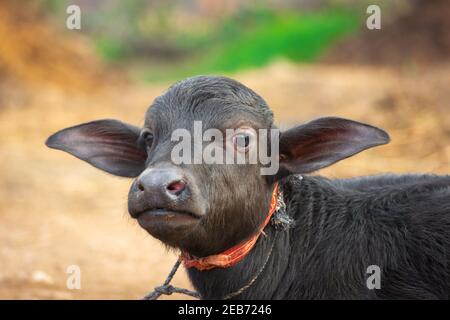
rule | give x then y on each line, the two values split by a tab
204	208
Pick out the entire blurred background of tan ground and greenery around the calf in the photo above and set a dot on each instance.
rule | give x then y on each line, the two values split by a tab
307	58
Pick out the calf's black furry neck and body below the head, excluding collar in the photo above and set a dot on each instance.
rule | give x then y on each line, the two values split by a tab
341	227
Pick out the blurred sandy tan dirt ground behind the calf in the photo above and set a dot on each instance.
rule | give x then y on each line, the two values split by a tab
56	211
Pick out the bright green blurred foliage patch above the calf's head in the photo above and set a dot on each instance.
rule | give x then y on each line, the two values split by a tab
254	38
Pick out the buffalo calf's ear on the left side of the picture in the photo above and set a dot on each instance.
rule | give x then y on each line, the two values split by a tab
109	145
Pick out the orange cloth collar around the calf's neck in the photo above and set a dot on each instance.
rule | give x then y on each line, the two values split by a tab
235	254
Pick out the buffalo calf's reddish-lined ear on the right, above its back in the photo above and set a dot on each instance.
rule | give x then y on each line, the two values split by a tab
322	142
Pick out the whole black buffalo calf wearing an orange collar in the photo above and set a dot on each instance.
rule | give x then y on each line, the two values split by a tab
338	228
